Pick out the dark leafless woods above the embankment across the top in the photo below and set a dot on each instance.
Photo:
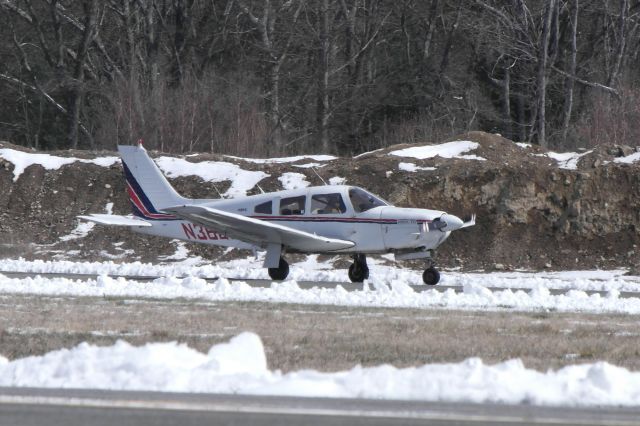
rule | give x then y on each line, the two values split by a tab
271	77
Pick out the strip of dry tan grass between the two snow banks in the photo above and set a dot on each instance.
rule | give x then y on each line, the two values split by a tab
321	337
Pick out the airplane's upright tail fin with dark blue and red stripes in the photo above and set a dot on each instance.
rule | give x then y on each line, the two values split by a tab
149	191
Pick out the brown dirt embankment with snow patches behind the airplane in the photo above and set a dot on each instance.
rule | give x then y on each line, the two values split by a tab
531	213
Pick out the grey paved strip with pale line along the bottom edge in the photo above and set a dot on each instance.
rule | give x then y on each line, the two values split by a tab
50	407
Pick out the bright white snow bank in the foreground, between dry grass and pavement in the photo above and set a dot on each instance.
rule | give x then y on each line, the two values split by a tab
240	367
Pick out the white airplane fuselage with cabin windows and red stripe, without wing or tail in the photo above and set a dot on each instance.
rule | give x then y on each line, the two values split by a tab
377	228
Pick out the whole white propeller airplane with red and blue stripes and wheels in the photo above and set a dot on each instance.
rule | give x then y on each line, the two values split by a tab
330	219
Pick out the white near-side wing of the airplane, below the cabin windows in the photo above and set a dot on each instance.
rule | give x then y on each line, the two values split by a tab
257	231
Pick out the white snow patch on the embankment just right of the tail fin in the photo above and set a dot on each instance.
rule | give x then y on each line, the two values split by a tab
213	171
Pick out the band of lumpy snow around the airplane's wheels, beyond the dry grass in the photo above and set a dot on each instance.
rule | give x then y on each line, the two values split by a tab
388	286
